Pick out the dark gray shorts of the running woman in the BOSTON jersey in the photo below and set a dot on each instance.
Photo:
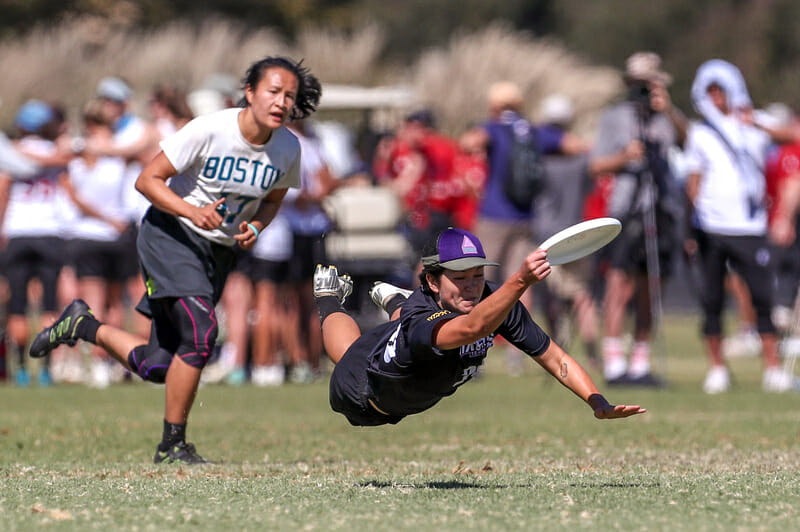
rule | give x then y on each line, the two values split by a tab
177	262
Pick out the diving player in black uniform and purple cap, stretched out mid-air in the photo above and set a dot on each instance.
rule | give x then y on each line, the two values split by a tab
439	335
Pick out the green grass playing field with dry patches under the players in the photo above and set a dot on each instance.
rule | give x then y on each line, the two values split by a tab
504	453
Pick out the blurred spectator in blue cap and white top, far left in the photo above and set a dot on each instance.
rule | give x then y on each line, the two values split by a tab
31	210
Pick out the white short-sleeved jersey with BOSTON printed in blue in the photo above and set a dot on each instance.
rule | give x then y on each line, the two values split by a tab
214	161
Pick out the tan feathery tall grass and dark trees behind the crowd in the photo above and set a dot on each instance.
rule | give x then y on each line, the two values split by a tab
446	51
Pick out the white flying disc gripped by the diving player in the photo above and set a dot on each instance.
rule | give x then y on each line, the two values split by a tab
581	239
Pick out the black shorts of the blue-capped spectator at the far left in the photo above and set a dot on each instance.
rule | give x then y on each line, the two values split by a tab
27	258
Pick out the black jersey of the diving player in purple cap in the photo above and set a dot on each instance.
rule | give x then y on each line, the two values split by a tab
407	374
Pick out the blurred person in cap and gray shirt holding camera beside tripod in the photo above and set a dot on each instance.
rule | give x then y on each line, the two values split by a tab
632	143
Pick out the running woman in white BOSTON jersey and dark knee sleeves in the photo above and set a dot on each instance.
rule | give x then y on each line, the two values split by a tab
228	172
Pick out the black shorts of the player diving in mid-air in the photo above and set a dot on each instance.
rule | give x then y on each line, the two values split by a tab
349	390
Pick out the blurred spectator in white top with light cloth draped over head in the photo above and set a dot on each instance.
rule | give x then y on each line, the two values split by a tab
726	155
